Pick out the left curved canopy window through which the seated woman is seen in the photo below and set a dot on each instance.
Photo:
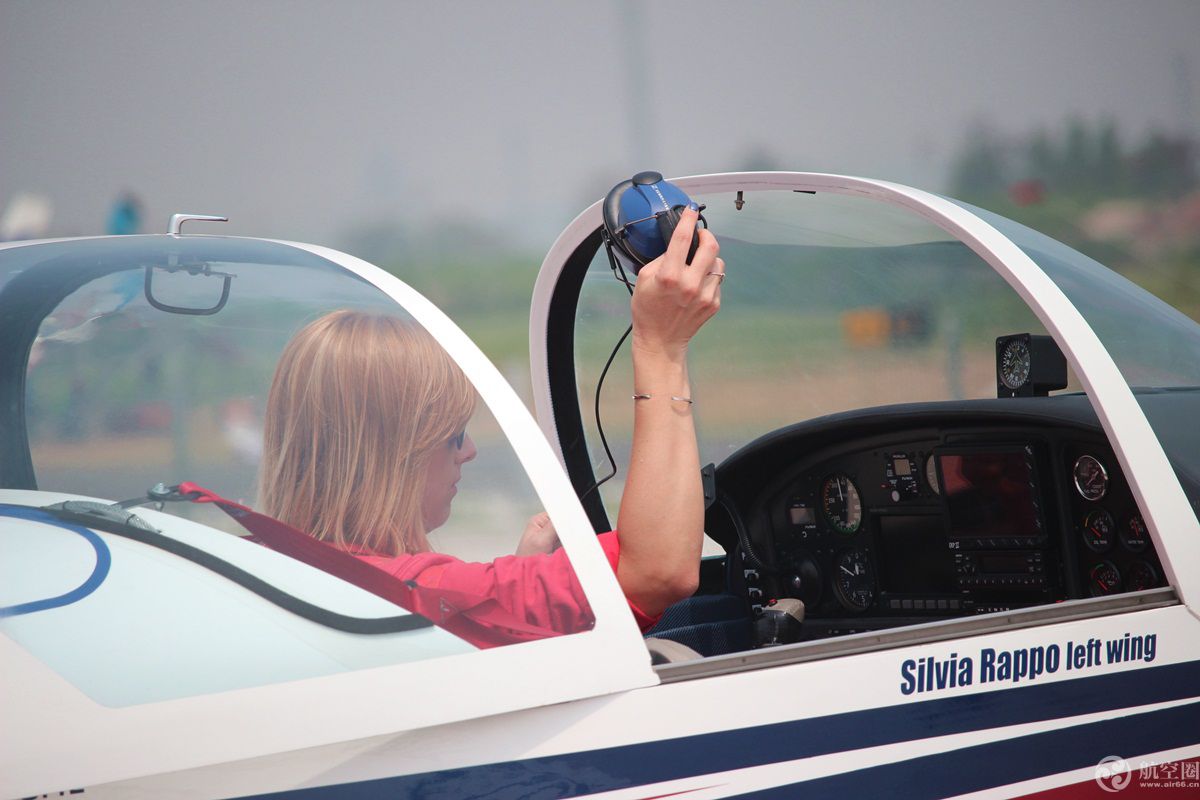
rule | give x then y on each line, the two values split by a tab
279	381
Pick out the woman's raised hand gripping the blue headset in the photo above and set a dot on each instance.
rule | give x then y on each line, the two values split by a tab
673	298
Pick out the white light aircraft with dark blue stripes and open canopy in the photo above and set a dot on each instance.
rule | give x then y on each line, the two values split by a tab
915	585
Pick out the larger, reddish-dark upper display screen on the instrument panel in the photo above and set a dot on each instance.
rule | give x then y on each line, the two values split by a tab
991	495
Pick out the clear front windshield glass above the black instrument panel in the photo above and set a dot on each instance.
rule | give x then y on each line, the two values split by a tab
832	304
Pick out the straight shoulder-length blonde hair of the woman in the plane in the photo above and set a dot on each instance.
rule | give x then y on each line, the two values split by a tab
358	406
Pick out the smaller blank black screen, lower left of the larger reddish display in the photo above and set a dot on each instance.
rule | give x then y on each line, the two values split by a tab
916	556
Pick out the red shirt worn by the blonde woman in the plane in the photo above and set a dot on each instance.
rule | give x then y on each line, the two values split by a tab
513	599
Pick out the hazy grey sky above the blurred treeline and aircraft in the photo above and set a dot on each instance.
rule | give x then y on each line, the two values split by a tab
308	119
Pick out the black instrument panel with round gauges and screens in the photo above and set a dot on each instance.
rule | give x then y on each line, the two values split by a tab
903	528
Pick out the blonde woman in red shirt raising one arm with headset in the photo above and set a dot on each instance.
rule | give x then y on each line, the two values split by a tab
365	442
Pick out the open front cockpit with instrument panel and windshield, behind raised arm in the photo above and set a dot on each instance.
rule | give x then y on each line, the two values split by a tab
865	454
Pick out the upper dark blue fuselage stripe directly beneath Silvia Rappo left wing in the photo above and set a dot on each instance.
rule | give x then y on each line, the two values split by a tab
615	768
